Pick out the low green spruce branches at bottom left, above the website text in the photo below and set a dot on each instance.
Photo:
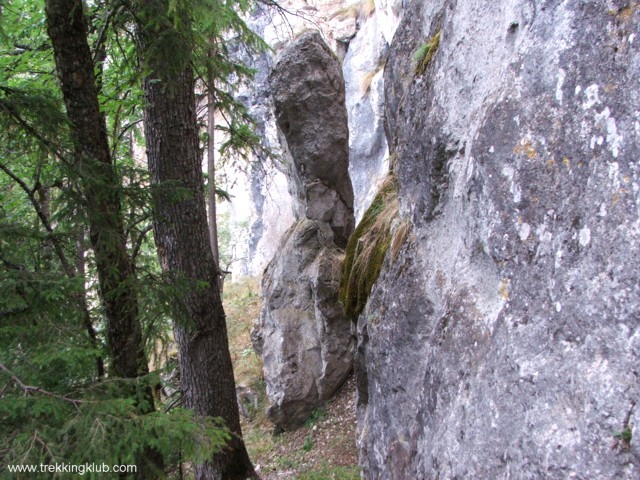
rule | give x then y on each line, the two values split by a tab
98	424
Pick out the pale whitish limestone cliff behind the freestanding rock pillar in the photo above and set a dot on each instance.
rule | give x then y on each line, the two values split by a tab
261	209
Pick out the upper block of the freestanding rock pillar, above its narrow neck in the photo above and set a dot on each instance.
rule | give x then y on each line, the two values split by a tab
308	94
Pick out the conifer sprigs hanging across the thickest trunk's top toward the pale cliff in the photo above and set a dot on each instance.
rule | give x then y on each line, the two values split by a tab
209	32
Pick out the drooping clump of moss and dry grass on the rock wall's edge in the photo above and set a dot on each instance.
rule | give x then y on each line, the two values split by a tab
367	248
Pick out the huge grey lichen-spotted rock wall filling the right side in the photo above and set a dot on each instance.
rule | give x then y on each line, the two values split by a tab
504	341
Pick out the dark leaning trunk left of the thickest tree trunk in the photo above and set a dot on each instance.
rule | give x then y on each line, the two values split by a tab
67	29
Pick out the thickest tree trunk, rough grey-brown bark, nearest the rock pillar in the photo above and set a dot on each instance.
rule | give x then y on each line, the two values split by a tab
180	227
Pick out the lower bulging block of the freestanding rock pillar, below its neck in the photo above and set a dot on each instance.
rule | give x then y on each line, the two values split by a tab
303	337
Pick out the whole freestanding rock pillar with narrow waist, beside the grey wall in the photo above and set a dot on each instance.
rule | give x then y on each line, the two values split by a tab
303	336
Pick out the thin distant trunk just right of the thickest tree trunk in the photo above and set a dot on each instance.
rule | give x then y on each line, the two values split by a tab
211	197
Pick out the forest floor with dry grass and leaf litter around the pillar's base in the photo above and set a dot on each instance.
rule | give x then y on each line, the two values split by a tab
324	448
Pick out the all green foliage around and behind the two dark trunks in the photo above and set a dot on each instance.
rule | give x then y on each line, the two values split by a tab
55	404
